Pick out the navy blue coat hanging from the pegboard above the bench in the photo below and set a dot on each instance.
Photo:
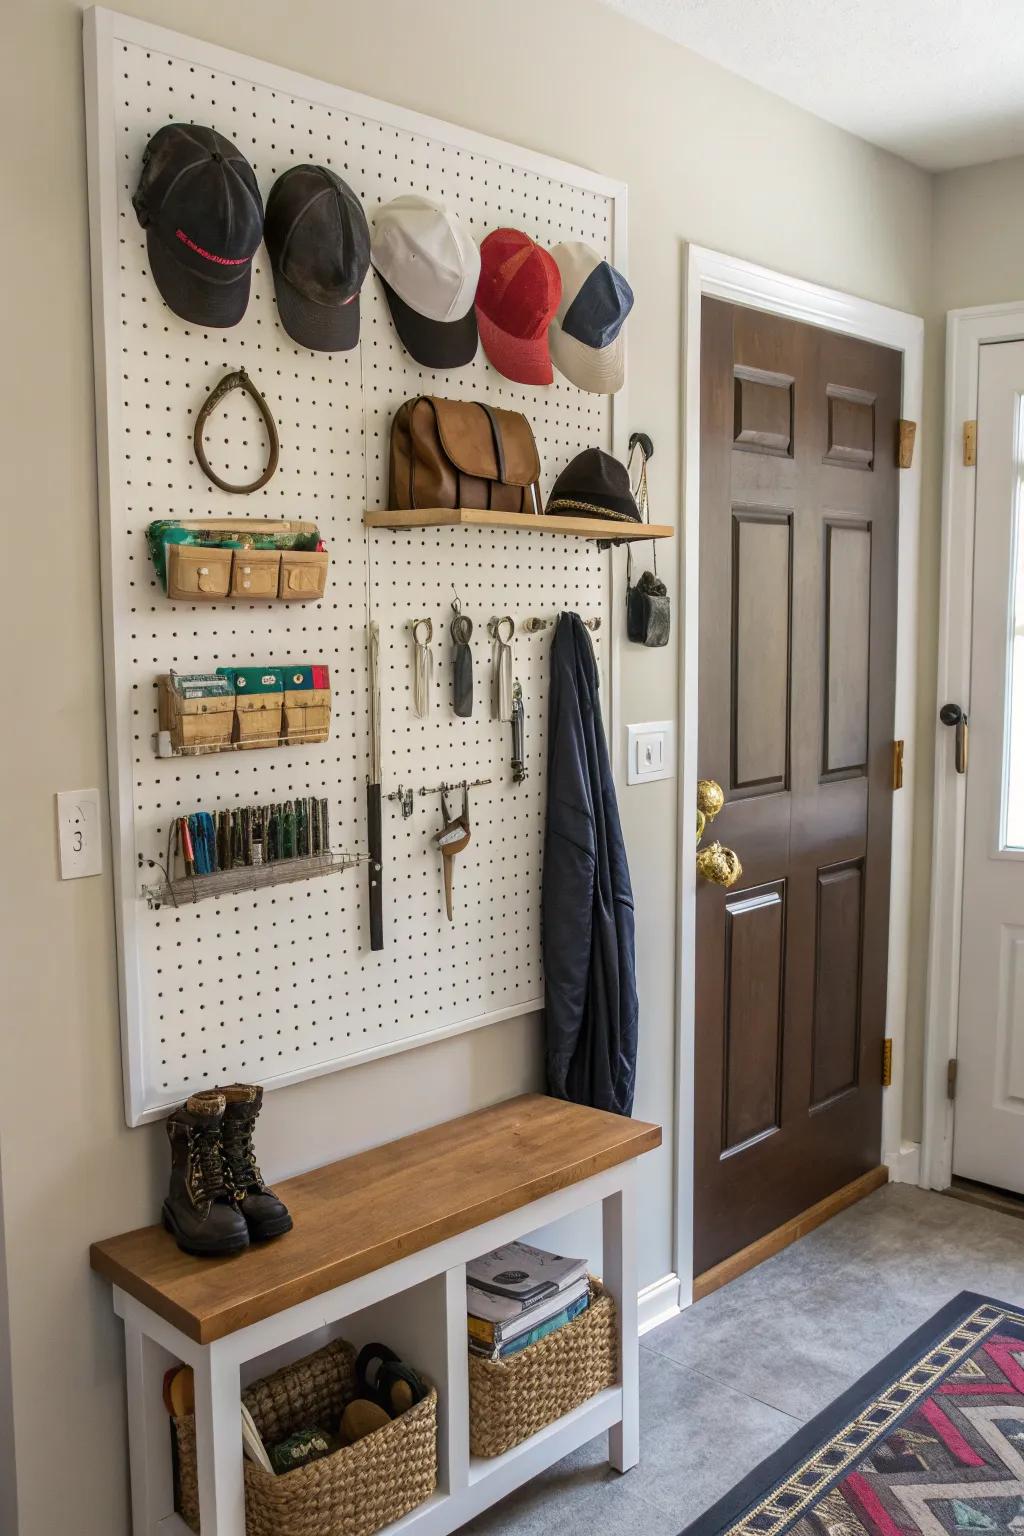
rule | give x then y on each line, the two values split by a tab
589	936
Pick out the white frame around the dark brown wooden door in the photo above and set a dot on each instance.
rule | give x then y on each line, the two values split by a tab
709	273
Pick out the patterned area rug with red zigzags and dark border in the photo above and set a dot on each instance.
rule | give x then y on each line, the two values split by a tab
931	1442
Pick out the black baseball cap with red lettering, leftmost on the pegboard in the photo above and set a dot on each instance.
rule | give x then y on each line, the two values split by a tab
200	207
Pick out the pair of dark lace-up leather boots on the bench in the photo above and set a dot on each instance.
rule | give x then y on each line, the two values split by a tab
219	1202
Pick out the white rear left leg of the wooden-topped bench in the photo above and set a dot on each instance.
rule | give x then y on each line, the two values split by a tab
148	1431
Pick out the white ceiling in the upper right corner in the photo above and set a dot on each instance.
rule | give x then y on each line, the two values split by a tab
939	82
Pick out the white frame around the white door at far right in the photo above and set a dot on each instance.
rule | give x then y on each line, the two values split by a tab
966	333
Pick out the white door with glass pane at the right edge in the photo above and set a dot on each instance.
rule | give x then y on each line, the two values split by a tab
989	1105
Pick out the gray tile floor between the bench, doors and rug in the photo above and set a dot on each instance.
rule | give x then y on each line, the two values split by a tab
730	1380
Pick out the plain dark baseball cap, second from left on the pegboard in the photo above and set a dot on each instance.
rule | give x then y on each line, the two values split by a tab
320	251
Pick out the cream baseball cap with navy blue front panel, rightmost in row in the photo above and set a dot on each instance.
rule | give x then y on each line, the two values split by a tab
586	337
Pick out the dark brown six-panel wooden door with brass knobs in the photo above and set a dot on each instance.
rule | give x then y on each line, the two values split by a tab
799	508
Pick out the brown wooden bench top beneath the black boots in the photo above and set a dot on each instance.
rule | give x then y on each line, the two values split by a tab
368	1211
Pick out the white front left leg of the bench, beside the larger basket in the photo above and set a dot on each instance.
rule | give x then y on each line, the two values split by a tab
219	1443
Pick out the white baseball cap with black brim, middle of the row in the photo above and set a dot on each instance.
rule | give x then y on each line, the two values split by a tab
431	266
